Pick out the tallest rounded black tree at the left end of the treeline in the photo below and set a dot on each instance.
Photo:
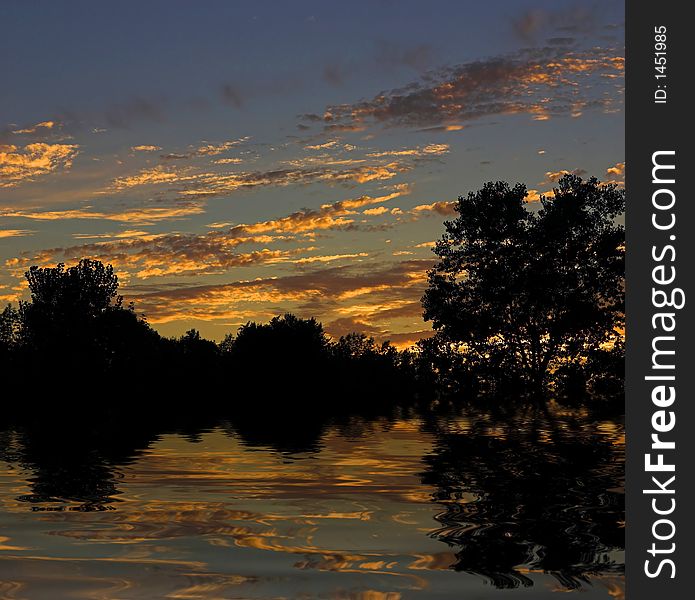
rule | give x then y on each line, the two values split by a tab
76	323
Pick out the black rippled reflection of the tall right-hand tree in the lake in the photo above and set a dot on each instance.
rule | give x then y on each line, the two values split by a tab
544	500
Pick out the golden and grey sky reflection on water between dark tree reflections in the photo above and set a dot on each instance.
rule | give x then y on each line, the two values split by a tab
218	519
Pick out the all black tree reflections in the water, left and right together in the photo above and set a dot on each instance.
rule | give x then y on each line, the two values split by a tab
519	494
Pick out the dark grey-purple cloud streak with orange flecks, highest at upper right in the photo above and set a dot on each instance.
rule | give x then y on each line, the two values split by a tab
541	83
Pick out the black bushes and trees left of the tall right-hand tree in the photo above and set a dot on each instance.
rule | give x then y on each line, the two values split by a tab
75	339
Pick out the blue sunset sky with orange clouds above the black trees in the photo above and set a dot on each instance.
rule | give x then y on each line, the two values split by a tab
239	160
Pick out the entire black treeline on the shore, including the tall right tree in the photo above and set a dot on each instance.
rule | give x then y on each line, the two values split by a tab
524	300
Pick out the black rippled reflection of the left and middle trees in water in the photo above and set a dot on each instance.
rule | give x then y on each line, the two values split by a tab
74	459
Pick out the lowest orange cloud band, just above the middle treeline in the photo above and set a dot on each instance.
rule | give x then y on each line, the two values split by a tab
384	293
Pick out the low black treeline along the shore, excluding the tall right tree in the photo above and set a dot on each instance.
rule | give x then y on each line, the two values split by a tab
75	341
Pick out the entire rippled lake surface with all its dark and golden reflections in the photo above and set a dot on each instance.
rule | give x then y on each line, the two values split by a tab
466	507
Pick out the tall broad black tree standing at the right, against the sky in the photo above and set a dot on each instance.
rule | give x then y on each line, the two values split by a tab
526	288
